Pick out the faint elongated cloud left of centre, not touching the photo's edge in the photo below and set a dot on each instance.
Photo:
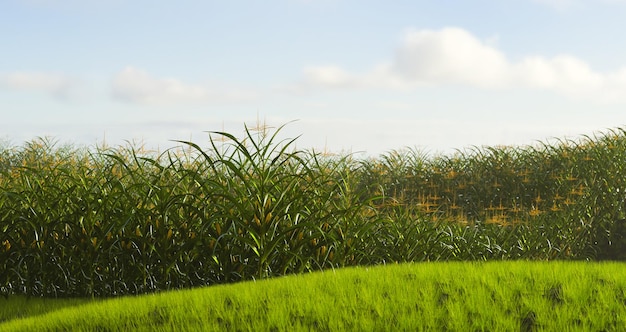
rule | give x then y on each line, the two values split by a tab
137	86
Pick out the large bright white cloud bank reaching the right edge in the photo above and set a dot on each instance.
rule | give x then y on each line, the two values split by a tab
455	56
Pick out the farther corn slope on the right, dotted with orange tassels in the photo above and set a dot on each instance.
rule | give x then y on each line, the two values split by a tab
566	200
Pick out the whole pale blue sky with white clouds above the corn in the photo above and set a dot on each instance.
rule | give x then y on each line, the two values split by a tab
358	76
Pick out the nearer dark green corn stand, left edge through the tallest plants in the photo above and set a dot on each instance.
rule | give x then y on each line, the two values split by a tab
117	222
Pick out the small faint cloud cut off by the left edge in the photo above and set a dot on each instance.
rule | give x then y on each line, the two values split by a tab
57	85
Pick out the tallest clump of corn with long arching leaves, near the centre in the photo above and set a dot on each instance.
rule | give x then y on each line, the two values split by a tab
275	210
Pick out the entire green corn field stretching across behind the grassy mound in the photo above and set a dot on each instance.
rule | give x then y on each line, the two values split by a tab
115	221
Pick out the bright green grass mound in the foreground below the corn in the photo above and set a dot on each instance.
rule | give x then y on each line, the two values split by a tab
457	296
